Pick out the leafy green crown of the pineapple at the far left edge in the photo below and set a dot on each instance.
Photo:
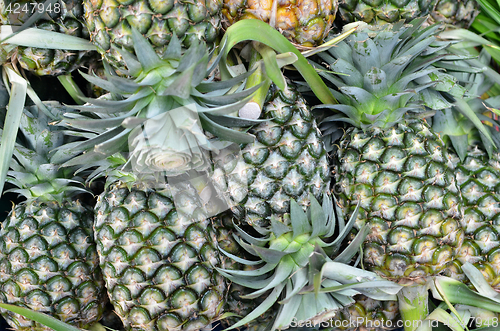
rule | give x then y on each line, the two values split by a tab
32	169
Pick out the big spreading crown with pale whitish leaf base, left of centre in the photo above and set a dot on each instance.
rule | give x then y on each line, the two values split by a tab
160	114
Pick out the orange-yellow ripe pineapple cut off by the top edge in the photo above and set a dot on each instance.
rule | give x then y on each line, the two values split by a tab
305	22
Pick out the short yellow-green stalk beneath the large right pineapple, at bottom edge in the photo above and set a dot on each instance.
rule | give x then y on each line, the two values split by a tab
413	305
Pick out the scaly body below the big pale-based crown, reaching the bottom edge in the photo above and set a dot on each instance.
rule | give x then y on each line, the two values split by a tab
158	259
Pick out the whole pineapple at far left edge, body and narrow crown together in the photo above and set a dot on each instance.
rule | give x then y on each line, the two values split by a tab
48	258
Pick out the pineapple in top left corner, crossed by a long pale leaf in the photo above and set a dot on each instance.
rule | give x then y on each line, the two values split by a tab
64	16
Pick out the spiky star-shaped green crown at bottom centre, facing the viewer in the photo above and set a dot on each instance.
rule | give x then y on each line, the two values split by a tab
300	255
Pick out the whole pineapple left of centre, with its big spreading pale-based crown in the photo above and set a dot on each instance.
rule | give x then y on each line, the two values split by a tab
156	243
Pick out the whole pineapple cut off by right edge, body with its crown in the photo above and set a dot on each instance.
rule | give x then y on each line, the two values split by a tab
477	164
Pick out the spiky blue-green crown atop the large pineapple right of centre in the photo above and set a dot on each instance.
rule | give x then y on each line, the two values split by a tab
385	73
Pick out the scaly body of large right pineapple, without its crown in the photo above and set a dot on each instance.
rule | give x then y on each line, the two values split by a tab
408	195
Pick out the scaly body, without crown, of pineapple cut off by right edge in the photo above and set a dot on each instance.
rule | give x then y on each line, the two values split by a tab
479	179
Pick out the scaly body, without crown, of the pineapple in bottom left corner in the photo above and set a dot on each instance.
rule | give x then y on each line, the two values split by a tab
49	263
